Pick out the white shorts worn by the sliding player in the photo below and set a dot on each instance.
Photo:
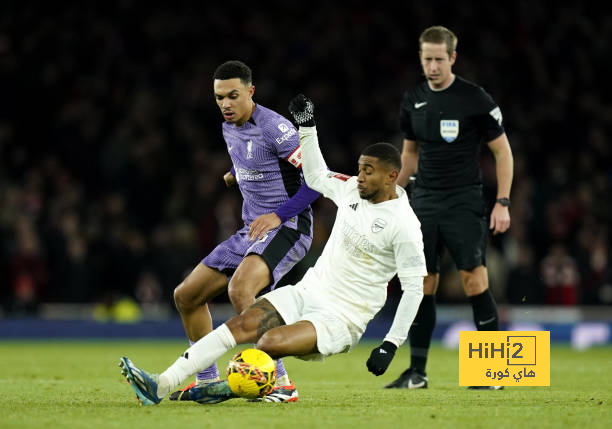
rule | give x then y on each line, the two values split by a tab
334	334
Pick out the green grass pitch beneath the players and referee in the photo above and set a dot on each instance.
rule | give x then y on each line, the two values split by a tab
72	384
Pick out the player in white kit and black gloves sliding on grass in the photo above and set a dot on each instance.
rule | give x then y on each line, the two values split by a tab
375	235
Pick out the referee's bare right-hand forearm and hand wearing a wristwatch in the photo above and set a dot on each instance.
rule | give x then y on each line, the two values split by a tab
504	166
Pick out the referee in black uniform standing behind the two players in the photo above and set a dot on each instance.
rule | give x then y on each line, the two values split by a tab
445	120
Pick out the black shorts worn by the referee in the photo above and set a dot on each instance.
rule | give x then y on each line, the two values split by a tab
455	219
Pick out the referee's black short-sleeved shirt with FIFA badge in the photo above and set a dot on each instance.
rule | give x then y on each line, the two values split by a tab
450	127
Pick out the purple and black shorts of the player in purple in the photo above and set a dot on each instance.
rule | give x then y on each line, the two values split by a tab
280	248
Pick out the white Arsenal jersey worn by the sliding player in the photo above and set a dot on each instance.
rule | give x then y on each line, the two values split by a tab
368	245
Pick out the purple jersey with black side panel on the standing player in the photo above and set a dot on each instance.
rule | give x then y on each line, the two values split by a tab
267	159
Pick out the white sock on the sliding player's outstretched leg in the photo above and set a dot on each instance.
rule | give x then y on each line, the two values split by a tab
196	358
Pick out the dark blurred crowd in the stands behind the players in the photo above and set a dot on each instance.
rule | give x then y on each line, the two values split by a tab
111	153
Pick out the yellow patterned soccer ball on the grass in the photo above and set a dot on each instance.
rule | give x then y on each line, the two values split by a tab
251	373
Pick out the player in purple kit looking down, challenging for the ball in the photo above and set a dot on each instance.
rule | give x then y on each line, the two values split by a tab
277	232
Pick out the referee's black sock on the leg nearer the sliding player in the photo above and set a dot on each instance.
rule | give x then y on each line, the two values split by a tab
420	333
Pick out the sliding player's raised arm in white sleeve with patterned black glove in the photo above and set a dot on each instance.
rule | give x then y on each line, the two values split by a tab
315	170
